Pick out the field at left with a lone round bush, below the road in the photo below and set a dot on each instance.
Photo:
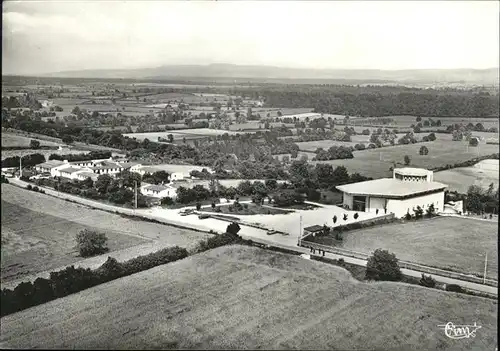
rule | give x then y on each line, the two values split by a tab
38	232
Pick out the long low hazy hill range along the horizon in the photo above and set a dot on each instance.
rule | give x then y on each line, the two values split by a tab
422	76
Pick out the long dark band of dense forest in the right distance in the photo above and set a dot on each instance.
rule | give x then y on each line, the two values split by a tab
374	102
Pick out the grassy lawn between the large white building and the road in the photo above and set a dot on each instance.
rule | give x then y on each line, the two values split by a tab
458	244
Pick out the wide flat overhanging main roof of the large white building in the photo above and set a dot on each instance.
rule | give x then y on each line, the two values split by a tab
389	187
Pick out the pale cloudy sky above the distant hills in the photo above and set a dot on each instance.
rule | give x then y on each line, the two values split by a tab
53	36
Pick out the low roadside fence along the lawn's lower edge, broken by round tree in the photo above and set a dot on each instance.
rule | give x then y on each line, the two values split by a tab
404	264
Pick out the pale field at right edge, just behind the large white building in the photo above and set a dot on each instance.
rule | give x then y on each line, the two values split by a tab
481	174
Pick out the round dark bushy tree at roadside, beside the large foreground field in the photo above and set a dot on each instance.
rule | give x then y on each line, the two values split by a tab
383	265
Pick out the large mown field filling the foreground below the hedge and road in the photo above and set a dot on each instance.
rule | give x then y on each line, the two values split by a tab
239	297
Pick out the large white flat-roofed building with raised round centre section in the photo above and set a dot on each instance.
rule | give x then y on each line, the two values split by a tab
407	189
